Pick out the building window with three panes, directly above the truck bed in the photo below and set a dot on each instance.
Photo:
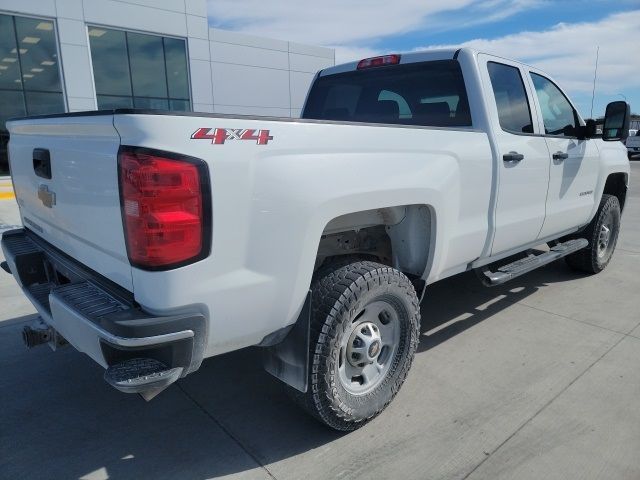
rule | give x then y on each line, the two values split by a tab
135	70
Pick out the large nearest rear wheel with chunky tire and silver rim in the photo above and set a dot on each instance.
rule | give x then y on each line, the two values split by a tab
365	325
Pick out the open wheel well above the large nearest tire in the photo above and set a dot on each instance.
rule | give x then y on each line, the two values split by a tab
399	236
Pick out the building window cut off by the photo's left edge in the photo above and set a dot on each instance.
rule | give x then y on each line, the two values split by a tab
29	73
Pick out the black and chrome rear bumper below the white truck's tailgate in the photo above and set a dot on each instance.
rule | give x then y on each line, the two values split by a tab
96	316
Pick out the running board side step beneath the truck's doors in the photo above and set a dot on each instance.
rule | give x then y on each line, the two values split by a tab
532	261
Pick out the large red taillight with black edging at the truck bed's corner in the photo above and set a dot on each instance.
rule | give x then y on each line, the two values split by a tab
163	208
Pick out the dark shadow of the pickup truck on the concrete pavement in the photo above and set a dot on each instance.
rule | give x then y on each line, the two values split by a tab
58	419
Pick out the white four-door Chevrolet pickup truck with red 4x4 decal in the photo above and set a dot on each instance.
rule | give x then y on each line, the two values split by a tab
153	240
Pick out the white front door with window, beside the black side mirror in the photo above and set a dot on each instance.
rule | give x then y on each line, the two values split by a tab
574	163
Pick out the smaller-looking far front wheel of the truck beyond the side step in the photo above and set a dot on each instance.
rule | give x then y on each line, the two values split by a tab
602	234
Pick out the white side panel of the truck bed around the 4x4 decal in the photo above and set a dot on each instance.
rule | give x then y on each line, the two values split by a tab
271	203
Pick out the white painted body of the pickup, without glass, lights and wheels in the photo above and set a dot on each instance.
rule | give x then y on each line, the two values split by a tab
271	203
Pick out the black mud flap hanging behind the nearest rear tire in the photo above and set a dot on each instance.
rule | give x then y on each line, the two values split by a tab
289	359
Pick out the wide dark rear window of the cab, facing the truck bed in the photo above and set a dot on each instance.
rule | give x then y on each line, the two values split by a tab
427	94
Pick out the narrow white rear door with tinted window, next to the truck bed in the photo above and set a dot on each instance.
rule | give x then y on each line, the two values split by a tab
523	171
